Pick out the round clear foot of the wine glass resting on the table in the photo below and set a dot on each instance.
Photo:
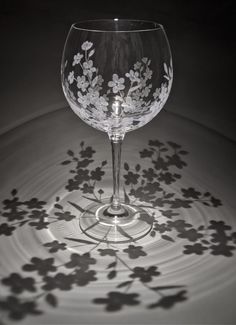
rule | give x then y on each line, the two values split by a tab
101	222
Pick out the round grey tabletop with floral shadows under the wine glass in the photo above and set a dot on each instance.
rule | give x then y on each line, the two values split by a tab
182	272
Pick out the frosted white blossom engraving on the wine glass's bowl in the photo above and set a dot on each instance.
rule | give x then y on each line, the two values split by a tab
124	102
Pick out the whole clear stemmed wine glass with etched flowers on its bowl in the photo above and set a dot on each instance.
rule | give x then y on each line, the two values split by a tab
116	76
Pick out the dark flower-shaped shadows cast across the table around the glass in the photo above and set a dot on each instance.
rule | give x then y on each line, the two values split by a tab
150	187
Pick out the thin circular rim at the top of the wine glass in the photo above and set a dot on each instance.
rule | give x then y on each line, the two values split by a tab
155	26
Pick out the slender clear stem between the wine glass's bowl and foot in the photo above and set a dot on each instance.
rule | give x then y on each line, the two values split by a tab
116	159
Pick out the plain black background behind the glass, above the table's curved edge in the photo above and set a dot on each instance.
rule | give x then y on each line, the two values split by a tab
201	35
